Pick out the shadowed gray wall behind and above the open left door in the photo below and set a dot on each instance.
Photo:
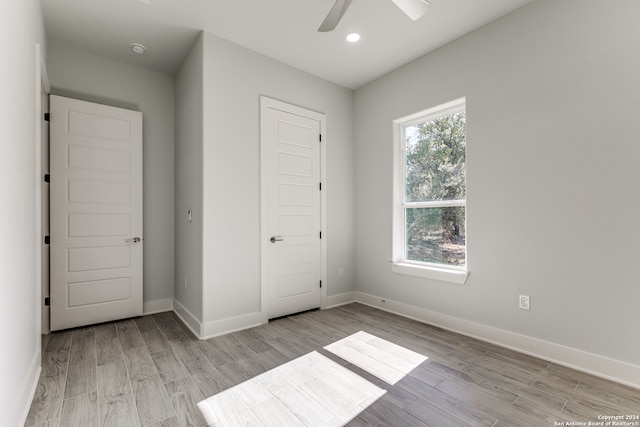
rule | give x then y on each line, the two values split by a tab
89	77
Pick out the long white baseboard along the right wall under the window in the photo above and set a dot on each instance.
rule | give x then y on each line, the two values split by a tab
601	366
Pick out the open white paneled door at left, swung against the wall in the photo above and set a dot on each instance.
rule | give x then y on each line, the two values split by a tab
96	213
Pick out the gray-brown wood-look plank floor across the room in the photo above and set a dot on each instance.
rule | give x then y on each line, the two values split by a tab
150	371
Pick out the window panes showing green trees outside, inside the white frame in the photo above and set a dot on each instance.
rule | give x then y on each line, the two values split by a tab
435	190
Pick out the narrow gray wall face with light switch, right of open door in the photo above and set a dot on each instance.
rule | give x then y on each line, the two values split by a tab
188	181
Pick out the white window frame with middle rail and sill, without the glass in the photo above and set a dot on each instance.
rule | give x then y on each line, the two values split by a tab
399	264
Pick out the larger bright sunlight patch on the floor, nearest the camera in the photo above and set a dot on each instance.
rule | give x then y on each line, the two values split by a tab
311	390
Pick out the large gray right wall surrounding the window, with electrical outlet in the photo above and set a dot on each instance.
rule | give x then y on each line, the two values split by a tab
553	196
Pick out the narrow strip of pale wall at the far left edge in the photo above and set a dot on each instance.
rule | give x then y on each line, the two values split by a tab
21	28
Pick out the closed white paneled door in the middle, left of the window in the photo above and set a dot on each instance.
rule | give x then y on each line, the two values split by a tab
292	252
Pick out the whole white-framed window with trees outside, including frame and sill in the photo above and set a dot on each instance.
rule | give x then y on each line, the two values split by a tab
430	193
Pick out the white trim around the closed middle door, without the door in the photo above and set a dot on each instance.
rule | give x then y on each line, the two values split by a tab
266	103
